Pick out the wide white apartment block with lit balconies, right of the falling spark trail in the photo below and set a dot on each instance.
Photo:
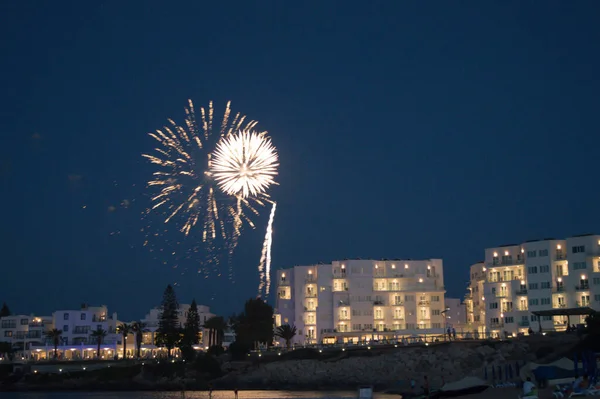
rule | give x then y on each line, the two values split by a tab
362	300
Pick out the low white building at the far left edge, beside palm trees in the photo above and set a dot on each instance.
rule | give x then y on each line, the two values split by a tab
23	332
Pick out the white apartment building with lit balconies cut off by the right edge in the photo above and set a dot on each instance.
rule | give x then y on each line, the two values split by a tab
561	276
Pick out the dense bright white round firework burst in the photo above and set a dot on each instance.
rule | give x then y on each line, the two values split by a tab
245	164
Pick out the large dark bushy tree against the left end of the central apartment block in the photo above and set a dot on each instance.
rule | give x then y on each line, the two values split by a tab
255	324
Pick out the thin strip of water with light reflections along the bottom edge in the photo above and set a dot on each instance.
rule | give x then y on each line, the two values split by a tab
191	395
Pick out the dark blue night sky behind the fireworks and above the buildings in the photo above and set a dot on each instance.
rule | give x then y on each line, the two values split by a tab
405	129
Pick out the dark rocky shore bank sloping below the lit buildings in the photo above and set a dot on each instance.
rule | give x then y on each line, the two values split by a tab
382	368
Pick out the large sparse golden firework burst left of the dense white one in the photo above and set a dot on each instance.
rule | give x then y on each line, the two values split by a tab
187	189
